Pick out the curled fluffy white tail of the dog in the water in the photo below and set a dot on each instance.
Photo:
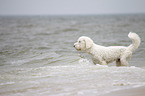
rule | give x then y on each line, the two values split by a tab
135	41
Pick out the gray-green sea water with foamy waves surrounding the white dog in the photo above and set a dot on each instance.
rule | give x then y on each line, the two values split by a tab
37	55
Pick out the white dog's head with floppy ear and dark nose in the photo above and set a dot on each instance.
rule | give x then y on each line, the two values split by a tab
83	43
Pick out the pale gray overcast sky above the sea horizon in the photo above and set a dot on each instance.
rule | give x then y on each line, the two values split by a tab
60	7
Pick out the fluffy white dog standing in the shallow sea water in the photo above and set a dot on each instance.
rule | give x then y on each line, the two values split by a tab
104	55
